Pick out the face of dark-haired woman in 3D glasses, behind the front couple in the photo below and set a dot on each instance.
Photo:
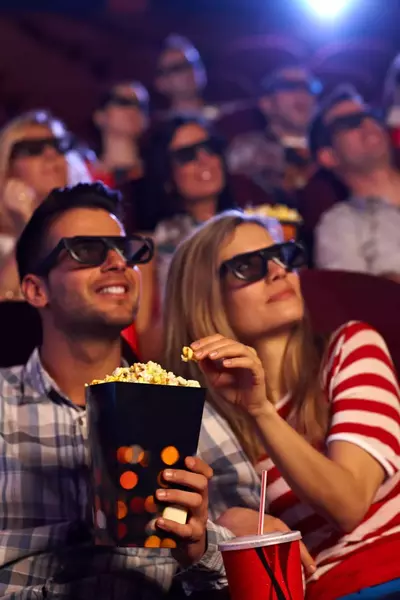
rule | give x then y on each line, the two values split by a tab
197	168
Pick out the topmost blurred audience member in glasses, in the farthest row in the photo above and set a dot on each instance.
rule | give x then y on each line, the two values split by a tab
181	79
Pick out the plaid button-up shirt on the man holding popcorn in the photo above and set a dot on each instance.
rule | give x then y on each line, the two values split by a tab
45	534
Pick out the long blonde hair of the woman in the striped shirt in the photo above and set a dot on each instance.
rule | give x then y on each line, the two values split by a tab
194	308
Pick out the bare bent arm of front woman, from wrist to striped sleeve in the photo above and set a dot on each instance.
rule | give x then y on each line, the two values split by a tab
340	486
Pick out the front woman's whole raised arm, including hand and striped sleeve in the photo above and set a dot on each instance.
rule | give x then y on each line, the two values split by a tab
364	431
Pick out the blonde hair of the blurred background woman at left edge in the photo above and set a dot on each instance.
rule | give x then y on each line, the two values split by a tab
15	131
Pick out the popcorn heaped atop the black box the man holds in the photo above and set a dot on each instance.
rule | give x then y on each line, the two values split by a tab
150	372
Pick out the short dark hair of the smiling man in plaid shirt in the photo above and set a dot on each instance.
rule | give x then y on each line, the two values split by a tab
32	242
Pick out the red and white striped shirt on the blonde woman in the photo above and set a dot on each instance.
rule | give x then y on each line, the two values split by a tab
360	383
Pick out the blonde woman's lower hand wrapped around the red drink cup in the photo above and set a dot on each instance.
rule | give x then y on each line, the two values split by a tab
244	521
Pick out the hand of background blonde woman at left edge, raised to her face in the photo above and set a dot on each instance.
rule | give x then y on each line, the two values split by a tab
19	201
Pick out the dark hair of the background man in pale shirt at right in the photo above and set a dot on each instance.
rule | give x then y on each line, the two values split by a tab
318	135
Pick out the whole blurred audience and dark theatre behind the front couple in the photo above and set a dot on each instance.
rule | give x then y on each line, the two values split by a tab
194	108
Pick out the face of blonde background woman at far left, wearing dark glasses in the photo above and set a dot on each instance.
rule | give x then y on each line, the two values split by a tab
42	167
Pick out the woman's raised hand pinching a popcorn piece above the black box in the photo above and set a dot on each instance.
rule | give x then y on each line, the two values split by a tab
234	371
